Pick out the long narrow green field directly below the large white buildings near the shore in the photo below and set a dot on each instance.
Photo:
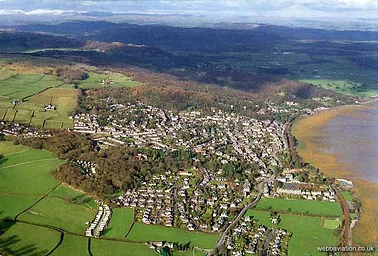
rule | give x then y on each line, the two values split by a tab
300	206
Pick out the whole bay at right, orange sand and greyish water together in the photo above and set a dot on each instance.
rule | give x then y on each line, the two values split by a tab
343	143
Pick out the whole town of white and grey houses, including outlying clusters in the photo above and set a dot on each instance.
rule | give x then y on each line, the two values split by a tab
198	199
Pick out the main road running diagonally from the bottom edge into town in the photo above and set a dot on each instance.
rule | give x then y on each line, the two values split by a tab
223	237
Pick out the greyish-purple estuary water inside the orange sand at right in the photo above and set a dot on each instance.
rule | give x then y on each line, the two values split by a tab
352	136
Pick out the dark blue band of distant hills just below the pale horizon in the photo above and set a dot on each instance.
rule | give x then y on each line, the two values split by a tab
195	38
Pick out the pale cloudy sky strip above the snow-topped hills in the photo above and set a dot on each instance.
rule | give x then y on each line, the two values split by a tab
279	8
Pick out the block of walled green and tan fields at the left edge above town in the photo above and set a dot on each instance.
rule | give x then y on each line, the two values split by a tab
33	89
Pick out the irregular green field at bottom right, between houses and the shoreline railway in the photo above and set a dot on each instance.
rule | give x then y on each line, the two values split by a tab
308	232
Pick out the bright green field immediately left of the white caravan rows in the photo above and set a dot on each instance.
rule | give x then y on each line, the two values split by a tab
59	213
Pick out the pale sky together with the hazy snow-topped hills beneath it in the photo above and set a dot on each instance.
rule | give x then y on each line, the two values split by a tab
317	13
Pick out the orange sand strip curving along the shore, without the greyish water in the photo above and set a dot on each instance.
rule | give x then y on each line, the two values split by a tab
307	130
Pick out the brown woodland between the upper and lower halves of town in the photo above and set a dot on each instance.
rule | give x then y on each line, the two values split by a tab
122	168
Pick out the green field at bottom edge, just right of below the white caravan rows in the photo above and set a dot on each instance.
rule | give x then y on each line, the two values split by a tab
114	248
